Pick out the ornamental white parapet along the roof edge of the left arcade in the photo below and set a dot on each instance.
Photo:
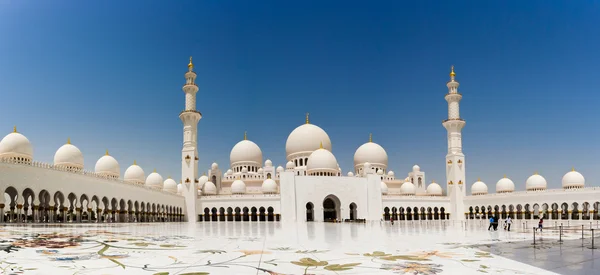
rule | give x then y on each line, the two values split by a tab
43	165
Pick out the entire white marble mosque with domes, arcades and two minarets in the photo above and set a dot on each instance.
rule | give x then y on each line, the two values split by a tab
311	186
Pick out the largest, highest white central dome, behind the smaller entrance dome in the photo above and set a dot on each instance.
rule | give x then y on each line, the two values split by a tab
305	139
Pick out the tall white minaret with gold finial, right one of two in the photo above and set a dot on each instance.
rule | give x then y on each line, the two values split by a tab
455	159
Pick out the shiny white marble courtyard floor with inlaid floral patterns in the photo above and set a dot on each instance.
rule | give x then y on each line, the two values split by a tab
427	248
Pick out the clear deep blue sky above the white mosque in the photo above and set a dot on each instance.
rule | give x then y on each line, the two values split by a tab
108	74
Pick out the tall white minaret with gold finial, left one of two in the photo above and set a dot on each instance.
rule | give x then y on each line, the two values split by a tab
189	154
